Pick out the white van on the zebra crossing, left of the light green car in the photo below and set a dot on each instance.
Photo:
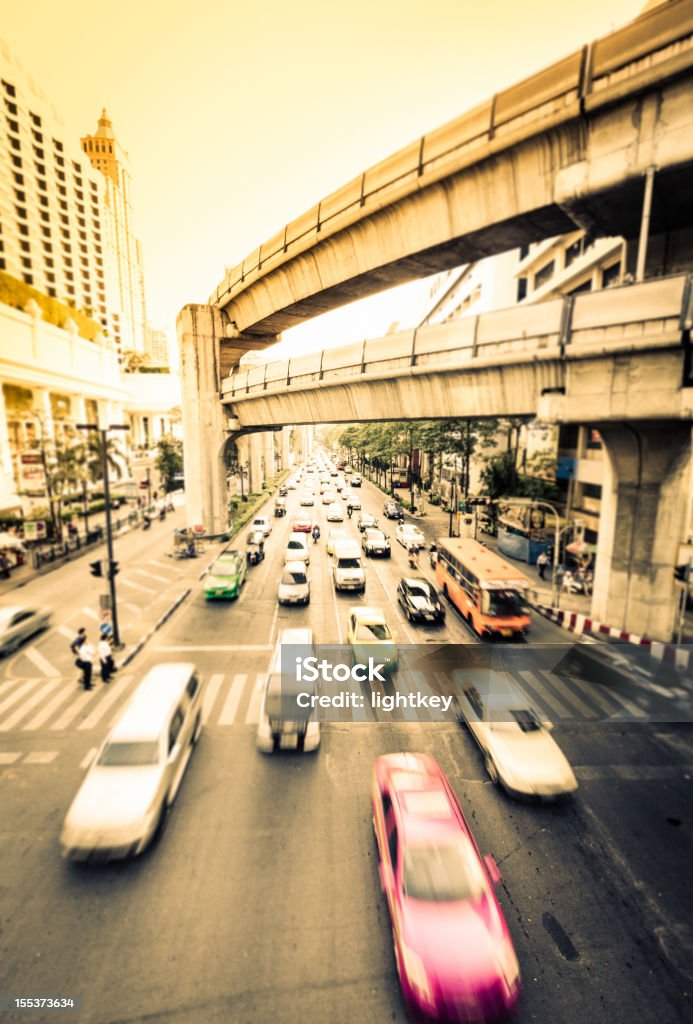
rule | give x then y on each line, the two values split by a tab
283	722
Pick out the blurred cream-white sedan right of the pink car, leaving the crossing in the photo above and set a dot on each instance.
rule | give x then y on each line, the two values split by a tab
521	753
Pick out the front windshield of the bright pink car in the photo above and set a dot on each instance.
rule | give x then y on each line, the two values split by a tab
443	873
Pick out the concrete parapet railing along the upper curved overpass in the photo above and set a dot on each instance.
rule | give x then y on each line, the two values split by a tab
561	92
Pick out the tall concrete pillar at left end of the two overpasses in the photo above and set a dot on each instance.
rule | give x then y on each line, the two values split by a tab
200	329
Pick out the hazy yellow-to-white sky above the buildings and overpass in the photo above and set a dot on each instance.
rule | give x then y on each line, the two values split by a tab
240	115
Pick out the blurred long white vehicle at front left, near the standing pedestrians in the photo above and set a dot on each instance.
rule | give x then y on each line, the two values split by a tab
135	779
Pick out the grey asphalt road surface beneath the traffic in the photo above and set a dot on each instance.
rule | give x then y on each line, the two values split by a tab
262	901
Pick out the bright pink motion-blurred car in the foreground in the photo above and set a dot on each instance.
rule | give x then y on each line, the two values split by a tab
453	947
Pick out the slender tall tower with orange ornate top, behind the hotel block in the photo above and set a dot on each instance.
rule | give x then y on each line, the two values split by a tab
110	158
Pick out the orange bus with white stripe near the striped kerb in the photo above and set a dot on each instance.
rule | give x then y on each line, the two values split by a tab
489	592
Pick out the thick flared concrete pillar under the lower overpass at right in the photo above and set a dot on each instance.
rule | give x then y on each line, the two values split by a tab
643	520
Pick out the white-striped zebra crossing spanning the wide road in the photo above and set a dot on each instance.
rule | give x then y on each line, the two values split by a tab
59	705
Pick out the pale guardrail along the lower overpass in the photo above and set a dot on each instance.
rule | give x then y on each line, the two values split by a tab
654	315
